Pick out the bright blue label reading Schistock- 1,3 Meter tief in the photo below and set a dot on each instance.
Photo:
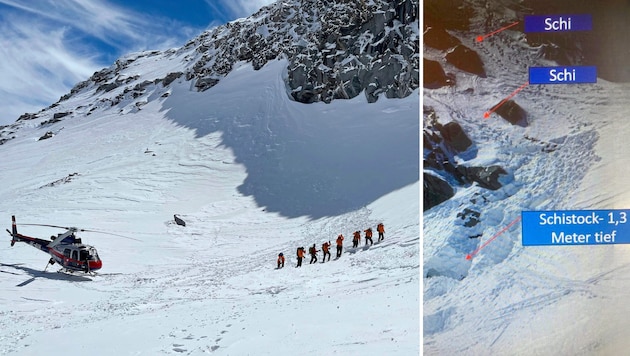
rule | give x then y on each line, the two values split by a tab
575	227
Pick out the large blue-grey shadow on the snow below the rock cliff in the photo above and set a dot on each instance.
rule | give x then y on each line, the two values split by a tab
310	160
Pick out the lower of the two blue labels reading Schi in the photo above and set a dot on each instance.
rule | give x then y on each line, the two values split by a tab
563	75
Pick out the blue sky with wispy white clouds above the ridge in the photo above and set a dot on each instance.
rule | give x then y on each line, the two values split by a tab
47	46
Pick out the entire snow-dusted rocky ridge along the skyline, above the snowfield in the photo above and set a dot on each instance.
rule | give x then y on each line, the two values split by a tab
336	49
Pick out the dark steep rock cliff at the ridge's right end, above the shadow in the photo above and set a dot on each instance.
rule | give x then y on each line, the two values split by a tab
367	48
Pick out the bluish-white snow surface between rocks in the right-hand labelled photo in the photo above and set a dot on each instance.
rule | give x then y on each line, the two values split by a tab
511	300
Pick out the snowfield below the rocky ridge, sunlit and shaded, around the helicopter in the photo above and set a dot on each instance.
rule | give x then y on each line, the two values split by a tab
211	287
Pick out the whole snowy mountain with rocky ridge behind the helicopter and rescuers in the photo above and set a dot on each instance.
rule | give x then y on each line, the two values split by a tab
217	134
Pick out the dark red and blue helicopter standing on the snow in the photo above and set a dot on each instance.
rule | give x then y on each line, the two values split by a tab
65	249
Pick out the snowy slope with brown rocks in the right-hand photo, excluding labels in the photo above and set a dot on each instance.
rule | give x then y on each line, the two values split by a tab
554	147
